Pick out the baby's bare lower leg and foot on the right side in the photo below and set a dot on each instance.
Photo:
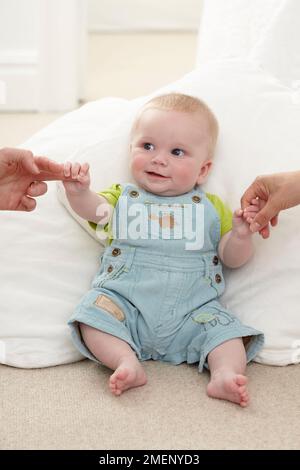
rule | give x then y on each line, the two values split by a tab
227	363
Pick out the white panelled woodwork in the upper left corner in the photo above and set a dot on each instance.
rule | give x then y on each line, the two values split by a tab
41	54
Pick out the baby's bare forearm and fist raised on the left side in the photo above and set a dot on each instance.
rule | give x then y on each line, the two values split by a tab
86	203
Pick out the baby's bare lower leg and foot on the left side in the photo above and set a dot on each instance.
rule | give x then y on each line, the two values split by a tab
117	355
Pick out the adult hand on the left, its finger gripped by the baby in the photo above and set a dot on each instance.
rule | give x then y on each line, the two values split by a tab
22	178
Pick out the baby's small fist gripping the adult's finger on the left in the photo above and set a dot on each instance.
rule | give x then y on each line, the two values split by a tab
77	177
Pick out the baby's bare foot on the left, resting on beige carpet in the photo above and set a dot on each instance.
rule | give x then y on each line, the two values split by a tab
127	375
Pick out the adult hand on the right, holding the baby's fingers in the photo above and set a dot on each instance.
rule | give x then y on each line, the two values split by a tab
274	193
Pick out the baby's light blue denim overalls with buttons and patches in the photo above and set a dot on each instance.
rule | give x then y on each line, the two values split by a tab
153	292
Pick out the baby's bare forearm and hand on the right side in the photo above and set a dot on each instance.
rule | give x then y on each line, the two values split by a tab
236	247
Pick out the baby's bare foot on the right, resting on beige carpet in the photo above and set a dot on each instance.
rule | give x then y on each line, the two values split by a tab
229	386
